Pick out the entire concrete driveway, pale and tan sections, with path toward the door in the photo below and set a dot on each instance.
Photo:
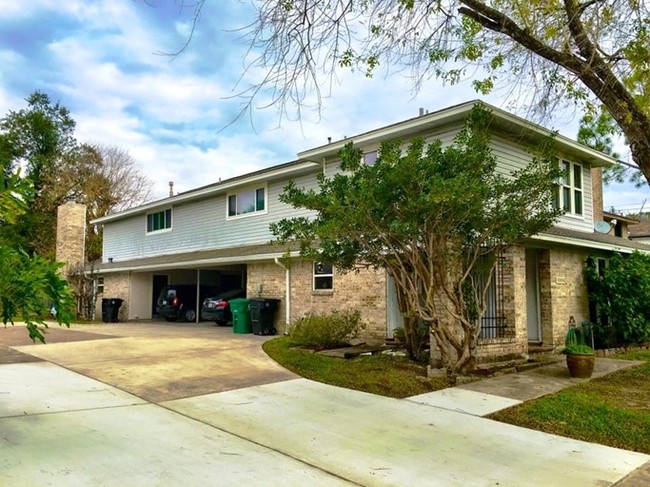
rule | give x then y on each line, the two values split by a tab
87	414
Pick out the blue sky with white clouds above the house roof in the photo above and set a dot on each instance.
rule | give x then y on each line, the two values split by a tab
101	59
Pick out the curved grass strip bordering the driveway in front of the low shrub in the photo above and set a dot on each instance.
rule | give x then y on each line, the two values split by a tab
380	374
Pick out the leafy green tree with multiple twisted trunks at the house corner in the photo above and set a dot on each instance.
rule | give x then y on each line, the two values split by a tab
435	218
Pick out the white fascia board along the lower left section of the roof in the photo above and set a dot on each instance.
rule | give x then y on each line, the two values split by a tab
218	188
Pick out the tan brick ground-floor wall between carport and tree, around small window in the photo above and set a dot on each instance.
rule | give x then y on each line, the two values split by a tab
365	290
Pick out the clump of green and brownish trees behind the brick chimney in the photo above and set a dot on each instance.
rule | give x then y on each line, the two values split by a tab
40	139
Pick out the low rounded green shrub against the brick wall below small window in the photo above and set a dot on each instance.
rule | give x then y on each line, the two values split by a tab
326	331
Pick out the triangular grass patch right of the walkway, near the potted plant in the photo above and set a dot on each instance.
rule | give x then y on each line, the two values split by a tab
613	410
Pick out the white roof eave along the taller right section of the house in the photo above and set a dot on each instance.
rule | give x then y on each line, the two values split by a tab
450	116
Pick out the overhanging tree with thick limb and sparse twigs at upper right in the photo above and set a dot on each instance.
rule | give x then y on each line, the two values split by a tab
595	53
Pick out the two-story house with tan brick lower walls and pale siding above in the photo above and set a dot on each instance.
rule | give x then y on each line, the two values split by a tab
222	230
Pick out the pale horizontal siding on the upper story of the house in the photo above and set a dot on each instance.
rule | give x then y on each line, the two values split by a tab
202	225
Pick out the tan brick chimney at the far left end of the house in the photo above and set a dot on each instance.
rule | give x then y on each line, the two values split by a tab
70	236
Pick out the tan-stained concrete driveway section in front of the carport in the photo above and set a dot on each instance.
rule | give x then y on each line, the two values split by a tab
161	361
